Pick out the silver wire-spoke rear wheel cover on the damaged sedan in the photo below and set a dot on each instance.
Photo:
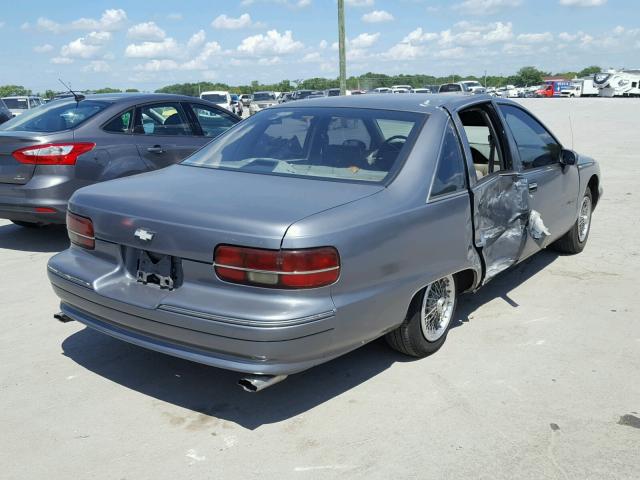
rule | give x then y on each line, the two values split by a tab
437	308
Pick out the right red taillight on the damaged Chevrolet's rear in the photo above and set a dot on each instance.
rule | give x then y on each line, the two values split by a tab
308	268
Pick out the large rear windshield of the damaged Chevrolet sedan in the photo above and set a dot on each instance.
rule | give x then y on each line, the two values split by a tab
338	143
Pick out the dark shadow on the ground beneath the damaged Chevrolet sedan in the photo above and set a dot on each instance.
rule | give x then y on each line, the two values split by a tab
212	394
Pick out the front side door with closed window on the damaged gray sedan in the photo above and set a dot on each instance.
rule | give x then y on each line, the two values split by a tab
553	188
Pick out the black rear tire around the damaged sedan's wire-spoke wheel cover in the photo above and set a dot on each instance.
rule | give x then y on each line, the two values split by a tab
409	338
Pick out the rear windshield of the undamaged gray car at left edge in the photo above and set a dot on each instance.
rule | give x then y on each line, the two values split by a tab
55	116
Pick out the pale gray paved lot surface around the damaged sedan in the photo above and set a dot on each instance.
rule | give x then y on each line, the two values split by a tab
539	379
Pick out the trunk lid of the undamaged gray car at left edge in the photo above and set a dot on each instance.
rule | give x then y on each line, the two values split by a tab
12	171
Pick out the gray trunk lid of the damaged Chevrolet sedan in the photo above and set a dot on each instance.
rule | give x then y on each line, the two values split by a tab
189	210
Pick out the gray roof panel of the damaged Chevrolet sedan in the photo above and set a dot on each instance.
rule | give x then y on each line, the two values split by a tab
416	102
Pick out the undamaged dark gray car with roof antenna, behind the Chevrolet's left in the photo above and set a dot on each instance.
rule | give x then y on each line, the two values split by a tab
49	152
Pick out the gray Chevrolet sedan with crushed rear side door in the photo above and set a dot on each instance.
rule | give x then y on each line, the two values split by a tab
317	226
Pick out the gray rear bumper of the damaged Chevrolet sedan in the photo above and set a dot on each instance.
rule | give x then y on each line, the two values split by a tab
291	347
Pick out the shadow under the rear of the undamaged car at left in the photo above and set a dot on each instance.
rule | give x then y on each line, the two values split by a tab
52	238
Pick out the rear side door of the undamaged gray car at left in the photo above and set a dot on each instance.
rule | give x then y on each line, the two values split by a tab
163	133
